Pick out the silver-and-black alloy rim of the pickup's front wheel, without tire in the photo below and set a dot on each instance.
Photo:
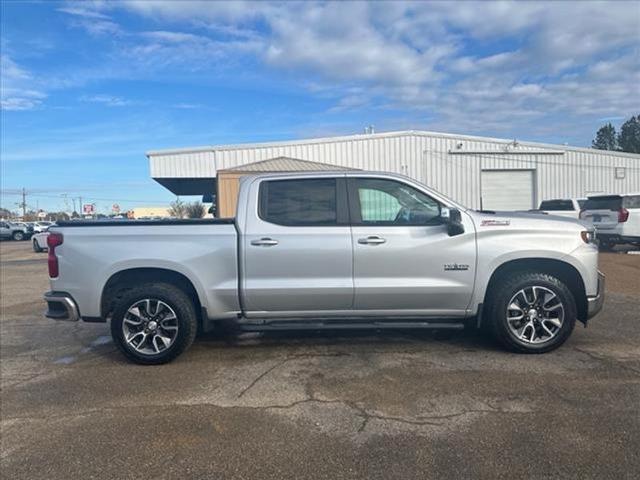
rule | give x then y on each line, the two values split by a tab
535	315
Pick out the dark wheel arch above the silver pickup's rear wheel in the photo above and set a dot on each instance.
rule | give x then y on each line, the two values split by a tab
126	279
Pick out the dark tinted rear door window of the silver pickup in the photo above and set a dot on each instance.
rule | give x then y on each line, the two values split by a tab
299	202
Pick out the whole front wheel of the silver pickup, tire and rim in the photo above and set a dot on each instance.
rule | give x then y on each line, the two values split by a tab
532	312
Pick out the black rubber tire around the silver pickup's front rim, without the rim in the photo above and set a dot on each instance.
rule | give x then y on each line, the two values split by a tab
503	292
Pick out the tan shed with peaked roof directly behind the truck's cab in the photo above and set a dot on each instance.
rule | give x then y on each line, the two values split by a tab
228	181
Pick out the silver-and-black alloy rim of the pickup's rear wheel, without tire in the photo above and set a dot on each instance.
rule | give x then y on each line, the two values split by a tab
150	326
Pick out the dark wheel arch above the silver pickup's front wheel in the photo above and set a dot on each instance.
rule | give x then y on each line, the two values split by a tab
563	271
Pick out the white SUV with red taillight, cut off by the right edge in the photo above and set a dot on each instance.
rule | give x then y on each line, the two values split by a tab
616	218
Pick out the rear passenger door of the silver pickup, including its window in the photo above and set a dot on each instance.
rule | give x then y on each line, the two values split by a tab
297	251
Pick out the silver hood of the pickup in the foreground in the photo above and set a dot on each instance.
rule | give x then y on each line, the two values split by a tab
524	220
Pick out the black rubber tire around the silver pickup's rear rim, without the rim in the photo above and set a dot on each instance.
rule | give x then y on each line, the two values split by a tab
175	298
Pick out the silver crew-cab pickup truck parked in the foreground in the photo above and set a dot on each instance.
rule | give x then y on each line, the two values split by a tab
328	250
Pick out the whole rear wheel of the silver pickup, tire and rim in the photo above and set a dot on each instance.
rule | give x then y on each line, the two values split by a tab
154	323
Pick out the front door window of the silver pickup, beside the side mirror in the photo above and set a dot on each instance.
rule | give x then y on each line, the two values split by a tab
386	202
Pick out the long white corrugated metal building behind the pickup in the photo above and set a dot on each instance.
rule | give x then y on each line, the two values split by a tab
476	171
